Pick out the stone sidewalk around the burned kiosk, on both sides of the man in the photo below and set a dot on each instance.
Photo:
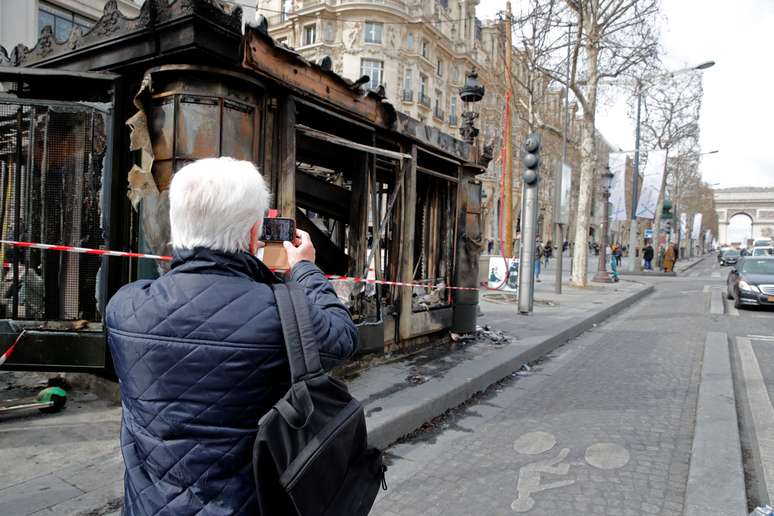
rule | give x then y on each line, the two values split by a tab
69	463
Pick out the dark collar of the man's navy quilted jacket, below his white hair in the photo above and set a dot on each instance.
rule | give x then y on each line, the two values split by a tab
203	260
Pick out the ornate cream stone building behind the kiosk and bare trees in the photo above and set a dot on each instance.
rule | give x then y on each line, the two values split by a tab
418	53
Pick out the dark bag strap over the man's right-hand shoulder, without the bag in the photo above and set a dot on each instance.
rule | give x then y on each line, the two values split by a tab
297	329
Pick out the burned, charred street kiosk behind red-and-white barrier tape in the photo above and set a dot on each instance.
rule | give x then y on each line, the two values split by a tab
125	105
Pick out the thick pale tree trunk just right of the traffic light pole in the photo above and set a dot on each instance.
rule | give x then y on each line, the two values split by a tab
586	187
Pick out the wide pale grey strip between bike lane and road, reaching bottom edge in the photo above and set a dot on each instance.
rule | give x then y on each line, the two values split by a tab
715	477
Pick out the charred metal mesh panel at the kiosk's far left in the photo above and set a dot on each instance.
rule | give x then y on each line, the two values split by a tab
51	160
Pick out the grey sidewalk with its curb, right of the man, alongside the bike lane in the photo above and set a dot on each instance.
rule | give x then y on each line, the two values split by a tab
395	407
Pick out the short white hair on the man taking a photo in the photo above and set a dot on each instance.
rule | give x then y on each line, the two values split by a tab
214	203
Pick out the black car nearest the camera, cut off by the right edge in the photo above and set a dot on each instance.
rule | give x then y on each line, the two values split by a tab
751	282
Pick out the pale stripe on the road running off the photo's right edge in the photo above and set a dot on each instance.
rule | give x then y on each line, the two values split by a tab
760	411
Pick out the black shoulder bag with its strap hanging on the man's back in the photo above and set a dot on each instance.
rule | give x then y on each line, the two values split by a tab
311	456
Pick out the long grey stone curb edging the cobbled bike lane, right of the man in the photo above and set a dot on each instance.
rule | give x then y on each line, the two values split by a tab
422	403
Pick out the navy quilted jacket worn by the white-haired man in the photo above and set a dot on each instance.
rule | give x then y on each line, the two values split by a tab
200	357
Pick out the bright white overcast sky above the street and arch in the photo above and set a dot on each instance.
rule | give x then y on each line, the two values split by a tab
738	111
